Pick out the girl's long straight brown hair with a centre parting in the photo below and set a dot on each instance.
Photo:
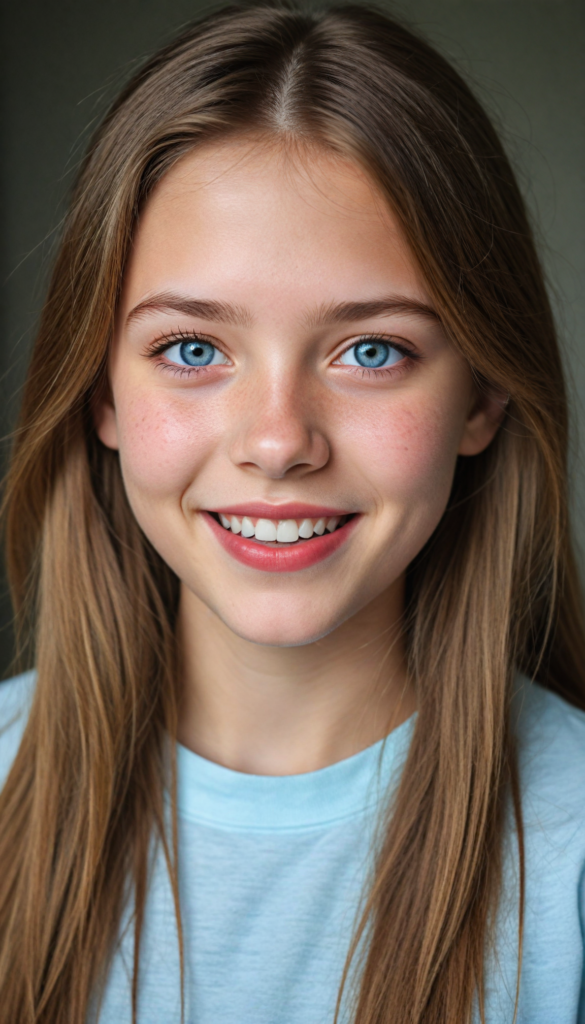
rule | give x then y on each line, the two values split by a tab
494	591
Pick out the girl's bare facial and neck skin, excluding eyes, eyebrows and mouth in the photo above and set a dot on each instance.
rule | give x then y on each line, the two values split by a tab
285	672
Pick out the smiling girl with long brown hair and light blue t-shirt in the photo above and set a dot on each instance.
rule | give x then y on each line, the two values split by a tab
288	540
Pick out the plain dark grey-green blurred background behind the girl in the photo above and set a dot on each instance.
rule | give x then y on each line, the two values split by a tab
64	61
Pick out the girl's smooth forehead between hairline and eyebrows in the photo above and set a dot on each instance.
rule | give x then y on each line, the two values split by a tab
268	224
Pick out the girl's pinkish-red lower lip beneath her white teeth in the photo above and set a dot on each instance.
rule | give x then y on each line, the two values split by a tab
288	559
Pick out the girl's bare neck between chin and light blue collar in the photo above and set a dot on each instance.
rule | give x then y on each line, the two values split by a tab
282	711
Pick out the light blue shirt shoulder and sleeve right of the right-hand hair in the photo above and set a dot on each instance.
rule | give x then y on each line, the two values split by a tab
551	738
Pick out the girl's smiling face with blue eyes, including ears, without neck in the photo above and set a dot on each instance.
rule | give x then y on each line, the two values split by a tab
278	369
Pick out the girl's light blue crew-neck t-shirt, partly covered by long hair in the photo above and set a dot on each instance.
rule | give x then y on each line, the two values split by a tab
273	872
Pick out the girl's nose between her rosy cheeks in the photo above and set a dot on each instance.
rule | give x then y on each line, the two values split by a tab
277	433
